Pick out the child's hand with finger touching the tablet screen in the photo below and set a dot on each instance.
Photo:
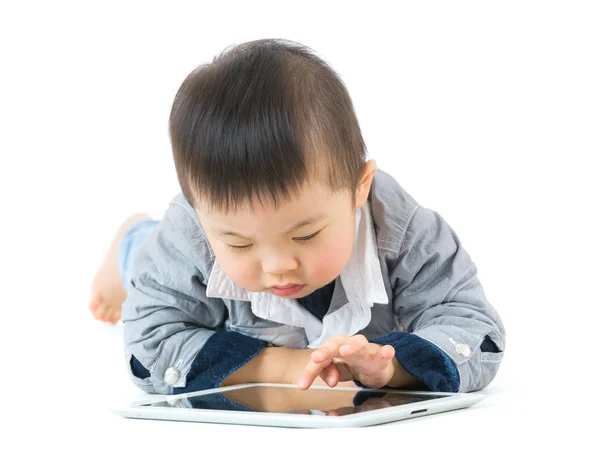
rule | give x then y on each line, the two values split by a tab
344	358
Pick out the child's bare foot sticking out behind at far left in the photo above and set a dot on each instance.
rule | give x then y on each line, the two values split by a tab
108	292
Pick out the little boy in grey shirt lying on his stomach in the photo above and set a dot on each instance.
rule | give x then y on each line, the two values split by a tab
288	257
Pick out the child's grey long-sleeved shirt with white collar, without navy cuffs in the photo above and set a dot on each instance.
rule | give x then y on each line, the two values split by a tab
408	271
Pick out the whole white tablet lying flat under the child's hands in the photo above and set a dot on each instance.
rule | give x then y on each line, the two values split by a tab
286	406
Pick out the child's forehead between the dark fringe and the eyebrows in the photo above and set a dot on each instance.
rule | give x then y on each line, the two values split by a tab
311	200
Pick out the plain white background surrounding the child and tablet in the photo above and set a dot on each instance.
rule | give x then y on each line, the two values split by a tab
487	112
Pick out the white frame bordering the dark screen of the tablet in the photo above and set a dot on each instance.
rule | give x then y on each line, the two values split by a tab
185	412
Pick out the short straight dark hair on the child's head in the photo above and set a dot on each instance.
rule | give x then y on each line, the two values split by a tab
259	121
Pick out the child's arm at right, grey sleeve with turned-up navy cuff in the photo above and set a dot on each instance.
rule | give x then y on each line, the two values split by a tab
443	308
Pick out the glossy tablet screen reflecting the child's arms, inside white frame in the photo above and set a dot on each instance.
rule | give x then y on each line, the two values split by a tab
272	399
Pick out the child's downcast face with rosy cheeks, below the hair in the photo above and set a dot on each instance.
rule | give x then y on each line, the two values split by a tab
290	251
